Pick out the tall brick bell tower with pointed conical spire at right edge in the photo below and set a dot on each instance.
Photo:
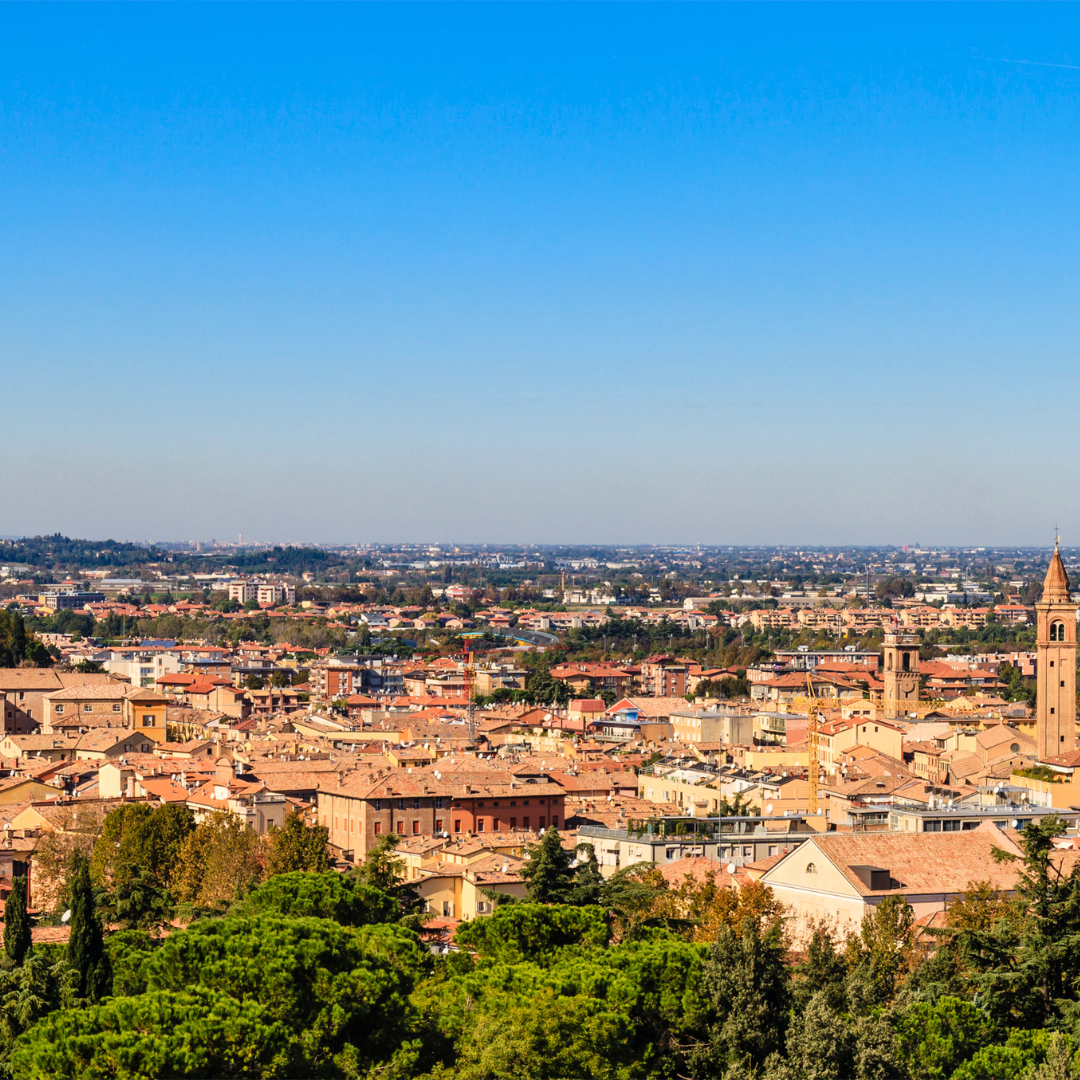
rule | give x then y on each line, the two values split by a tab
1057	704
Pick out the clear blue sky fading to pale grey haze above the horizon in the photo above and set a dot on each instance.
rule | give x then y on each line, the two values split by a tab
551	274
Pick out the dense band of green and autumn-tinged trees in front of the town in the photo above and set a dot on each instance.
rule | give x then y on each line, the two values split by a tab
323	975
